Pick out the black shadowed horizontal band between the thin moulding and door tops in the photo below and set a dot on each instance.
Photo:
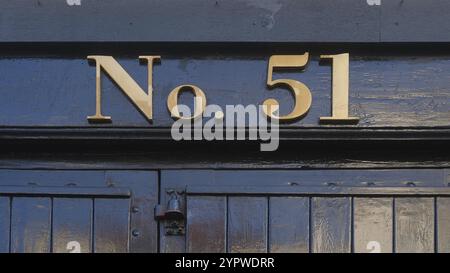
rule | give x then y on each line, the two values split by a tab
144	155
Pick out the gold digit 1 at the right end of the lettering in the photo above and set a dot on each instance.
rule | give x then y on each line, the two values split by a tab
340	83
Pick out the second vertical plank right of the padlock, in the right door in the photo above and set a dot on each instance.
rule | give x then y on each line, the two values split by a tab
247	224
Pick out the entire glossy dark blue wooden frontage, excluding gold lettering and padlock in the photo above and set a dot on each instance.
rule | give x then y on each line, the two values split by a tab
400	92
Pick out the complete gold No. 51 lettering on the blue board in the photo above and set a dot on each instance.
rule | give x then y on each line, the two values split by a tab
143	99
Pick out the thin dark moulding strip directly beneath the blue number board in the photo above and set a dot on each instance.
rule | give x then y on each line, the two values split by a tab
286	134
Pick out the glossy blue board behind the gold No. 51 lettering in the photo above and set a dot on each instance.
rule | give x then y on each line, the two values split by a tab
410	91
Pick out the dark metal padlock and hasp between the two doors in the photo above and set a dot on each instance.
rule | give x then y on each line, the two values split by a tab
173	214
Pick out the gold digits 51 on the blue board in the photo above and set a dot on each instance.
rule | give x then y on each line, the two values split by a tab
302	94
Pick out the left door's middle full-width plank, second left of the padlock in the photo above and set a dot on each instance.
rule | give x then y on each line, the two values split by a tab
72	224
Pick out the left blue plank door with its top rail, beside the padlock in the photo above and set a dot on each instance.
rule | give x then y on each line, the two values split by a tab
78	211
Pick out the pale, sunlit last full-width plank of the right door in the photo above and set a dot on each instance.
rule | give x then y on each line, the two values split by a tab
414	224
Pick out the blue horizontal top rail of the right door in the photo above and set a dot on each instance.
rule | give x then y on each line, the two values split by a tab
262	180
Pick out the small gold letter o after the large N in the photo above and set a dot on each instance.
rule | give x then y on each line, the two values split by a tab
199	101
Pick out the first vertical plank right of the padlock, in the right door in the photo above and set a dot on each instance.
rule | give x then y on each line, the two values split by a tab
206	224
